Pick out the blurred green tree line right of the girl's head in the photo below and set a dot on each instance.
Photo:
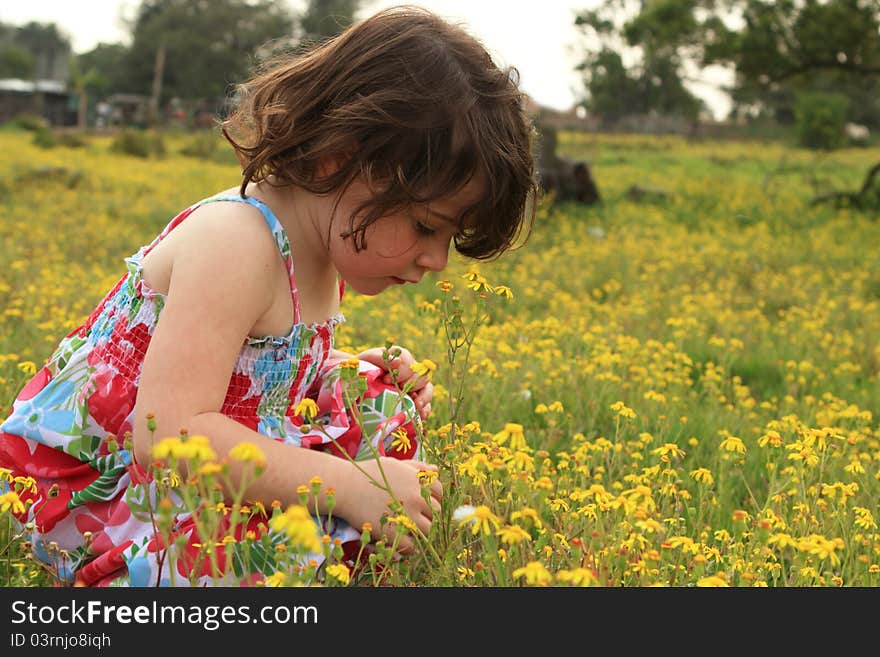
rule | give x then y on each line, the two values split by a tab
786	56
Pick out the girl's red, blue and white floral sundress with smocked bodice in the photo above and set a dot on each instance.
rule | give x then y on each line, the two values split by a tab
60	421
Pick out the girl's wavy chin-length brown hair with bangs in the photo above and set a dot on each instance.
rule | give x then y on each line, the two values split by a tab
412	104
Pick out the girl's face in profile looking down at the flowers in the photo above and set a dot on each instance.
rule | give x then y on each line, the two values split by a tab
400	247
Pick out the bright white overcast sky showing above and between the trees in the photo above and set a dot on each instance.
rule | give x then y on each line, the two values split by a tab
538	38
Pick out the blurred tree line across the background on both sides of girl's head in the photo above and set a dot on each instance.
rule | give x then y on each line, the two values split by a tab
789	58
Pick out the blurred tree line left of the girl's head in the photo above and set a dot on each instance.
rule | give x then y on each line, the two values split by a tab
190	50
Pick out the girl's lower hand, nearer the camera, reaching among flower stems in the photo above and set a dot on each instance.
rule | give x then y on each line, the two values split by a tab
366	501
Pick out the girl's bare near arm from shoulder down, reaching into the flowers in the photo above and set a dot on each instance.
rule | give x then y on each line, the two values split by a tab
209	310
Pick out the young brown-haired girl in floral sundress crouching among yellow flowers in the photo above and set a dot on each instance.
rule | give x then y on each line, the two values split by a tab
363	160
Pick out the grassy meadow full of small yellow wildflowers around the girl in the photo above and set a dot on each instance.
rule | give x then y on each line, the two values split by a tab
673	388
